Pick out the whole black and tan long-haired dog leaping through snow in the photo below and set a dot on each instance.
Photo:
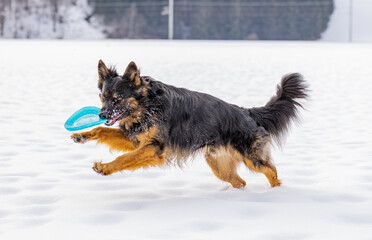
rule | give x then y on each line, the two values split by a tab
160	124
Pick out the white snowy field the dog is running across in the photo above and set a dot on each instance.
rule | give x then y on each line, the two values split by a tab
49	191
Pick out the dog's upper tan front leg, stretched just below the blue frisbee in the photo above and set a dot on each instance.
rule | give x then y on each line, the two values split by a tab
113	137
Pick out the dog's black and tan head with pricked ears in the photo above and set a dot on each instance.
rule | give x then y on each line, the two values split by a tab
119	95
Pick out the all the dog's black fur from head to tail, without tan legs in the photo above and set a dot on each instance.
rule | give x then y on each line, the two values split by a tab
189	120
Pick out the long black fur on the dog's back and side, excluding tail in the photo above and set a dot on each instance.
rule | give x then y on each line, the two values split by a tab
195	120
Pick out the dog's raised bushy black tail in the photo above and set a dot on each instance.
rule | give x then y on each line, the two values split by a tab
277	115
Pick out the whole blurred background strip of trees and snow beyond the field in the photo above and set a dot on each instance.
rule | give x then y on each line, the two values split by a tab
327	20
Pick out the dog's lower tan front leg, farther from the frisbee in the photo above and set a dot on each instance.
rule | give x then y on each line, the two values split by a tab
147	156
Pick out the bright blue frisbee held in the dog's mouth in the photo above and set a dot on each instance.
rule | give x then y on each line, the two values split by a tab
84	118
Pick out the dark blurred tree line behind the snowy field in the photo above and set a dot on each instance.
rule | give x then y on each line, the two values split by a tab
207	19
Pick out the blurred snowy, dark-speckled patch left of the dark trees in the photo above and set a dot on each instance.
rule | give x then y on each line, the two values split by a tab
40	19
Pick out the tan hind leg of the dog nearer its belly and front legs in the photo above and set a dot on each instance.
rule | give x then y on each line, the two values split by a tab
223	165
